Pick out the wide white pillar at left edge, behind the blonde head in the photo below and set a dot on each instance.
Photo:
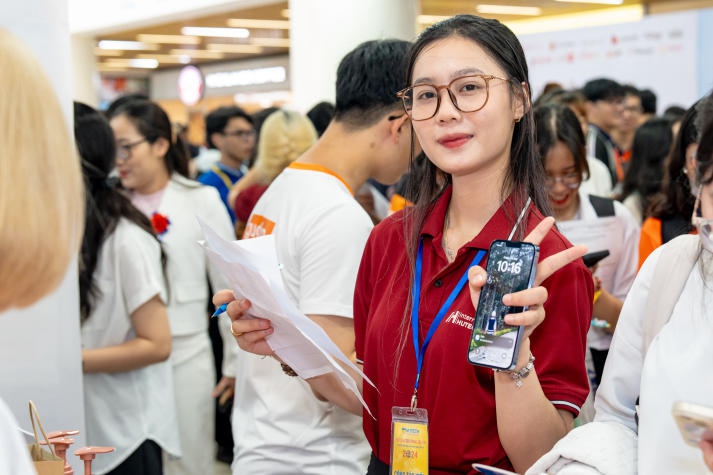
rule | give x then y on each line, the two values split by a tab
40	346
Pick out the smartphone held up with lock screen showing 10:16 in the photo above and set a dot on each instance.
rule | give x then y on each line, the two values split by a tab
511	267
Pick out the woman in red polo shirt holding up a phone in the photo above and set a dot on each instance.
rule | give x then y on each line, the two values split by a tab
469	102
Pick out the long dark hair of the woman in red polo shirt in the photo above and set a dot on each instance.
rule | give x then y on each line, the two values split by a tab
525	175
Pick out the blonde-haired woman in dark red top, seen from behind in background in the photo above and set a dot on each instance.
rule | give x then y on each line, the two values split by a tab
285	135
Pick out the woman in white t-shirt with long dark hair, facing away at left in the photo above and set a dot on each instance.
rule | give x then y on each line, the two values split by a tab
126	340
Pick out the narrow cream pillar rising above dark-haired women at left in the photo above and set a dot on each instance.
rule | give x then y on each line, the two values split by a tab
85	78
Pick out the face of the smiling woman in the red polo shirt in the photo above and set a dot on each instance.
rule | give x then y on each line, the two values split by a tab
463	143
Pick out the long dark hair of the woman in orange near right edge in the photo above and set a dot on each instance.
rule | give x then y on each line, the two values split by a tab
675	197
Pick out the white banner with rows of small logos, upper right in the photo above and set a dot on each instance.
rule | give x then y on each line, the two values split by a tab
658	53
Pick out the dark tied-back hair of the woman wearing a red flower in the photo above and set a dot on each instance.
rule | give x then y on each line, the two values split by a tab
152	123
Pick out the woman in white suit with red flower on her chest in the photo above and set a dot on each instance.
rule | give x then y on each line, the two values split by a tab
152	167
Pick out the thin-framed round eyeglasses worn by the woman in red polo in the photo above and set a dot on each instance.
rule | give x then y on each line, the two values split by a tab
467	93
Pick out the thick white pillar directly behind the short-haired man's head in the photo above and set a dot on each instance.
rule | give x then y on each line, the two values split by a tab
323	31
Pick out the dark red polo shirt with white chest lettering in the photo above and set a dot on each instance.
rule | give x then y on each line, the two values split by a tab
459	396
